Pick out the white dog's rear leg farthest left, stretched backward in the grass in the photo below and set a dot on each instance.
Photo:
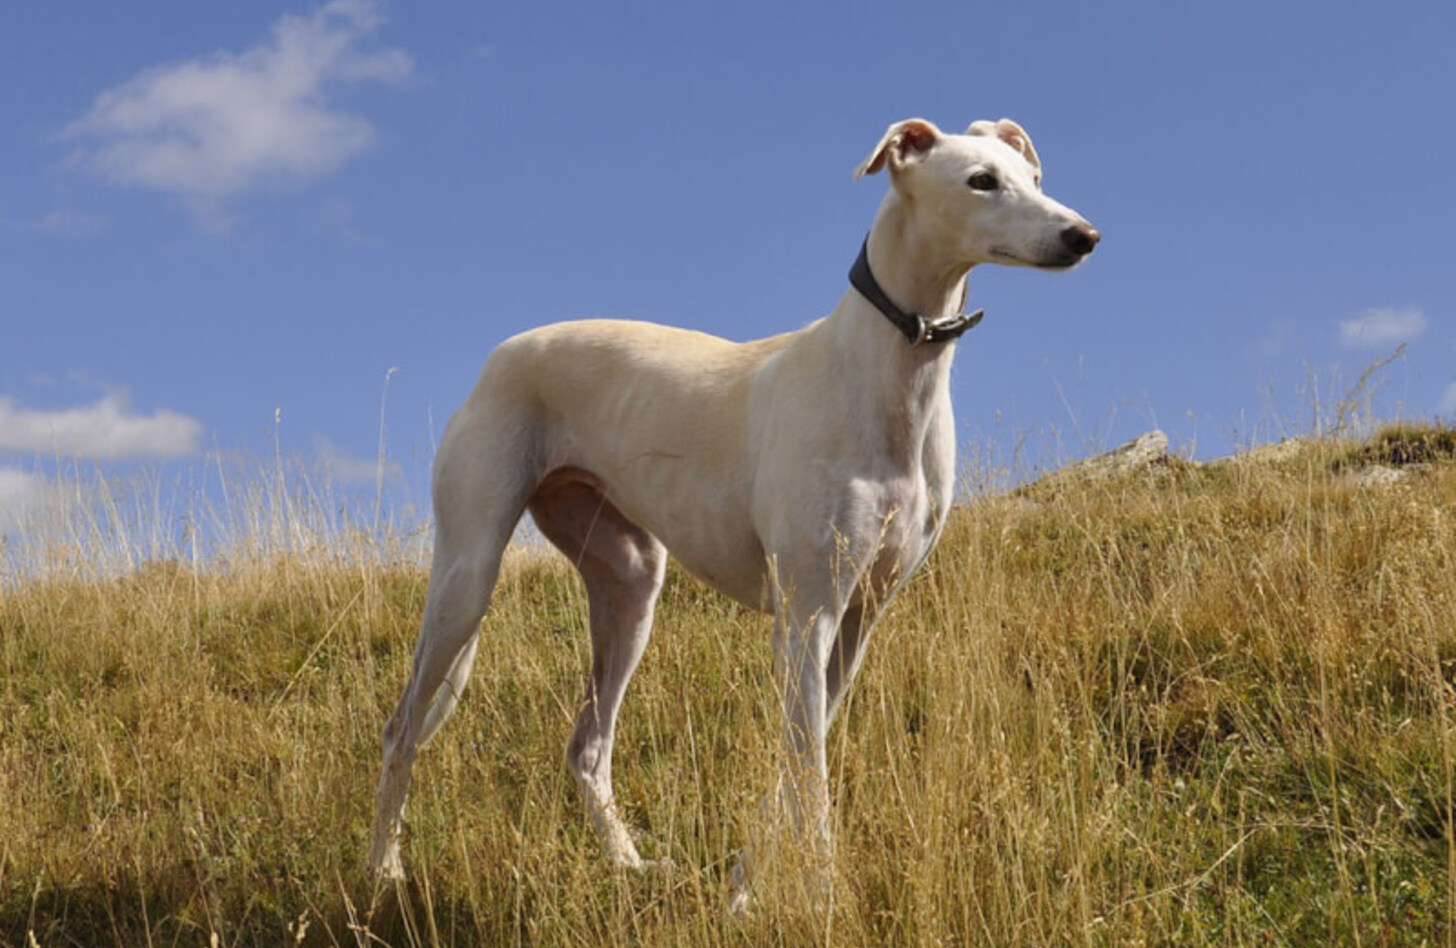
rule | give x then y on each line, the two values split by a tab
475	515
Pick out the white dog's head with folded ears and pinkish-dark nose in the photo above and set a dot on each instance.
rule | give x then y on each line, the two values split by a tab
982	193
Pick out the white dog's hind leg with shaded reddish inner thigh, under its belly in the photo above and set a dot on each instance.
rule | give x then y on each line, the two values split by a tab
622	567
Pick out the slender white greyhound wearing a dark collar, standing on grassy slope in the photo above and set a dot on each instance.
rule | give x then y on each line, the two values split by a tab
809	474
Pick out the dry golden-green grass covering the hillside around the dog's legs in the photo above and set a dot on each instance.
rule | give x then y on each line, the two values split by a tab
1192	707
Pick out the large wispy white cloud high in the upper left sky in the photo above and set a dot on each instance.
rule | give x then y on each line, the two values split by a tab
210	129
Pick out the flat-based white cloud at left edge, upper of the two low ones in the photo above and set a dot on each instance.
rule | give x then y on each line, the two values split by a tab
107	430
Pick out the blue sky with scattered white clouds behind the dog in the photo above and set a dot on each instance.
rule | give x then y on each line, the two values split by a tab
228	224
